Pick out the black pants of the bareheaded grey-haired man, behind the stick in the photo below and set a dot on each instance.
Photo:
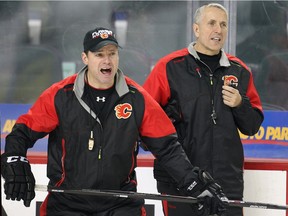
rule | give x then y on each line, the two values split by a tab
183	209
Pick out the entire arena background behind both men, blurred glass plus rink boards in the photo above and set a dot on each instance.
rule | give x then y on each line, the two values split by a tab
41	43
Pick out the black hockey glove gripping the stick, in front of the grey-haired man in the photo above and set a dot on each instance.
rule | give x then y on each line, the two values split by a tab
211	198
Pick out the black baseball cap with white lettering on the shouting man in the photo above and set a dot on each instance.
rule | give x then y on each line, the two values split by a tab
97	38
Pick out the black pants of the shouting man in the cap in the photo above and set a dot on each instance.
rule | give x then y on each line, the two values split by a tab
57	204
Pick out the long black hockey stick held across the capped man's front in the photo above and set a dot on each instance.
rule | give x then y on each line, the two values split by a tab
172	198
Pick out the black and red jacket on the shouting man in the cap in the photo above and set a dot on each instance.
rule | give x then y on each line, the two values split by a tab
62	113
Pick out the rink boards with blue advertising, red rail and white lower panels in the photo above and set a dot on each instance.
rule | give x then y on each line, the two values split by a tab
265	174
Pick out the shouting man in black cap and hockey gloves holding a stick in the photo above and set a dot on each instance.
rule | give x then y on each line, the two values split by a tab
93	120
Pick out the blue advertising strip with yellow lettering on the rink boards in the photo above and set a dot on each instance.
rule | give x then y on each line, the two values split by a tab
270	142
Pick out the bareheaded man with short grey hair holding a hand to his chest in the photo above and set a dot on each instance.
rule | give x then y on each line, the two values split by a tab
209	95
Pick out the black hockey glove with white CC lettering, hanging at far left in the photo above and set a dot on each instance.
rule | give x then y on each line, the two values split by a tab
19	180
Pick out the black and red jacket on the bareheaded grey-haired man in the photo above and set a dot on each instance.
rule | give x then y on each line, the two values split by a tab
182	81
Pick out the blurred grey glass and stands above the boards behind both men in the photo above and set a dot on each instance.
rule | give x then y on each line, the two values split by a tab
41	41
